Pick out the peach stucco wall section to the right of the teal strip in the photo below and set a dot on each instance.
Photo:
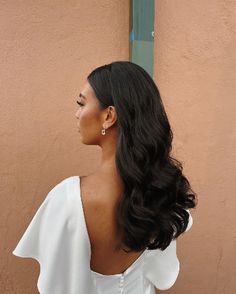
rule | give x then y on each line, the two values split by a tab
195	68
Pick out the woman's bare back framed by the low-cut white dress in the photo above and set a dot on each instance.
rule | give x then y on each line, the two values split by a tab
100	196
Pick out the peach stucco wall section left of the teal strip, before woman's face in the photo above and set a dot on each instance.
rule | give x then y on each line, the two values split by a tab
46	50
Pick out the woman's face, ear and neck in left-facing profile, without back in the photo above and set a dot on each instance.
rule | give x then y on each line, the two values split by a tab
91	121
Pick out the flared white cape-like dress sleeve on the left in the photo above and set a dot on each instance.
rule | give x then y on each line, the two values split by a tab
56	238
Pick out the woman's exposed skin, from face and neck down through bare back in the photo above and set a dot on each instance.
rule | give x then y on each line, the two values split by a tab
100	199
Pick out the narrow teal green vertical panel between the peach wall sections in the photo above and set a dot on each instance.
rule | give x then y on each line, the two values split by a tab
141	36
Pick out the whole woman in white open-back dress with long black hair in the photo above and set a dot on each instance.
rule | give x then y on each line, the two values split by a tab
114	231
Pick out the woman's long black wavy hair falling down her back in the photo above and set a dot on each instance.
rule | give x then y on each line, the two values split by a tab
152	210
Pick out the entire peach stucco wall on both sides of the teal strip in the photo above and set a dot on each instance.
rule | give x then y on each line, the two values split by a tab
47	50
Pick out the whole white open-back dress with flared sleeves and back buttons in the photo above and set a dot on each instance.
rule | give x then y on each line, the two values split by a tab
58	239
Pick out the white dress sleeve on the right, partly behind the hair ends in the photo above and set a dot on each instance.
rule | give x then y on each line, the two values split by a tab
161	268
